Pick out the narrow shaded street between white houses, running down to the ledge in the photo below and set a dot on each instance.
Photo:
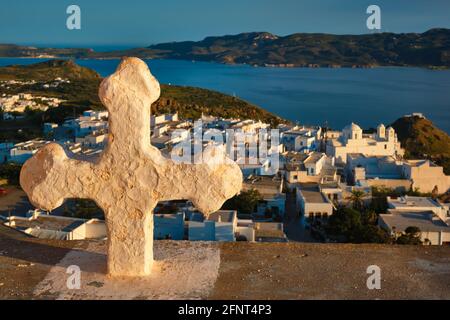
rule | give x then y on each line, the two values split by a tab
293	226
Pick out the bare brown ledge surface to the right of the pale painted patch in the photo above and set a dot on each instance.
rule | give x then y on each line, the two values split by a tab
331	271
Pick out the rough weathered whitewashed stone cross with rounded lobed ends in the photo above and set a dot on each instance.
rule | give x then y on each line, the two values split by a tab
130	176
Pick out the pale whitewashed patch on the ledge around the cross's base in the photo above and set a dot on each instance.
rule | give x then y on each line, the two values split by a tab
197	263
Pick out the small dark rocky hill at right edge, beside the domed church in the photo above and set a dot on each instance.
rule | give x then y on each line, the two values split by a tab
422	139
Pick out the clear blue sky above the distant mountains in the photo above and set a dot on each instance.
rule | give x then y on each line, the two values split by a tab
144	22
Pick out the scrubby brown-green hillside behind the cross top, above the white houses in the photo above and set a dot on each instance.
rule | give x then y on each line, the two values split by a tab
82	93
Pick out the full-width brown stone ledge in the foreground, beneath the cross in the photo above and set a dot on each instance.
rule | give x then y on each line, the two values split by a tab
34	269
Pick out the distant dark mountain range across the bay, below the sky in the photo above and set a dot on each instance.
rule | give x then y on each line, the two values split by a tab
428	49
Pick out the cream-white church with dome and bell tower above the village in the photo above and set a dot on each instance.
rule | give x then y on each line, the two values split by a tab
352	140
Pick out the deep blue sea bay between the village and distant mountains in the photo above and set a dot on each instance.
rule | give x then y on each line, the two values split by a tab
310	96
